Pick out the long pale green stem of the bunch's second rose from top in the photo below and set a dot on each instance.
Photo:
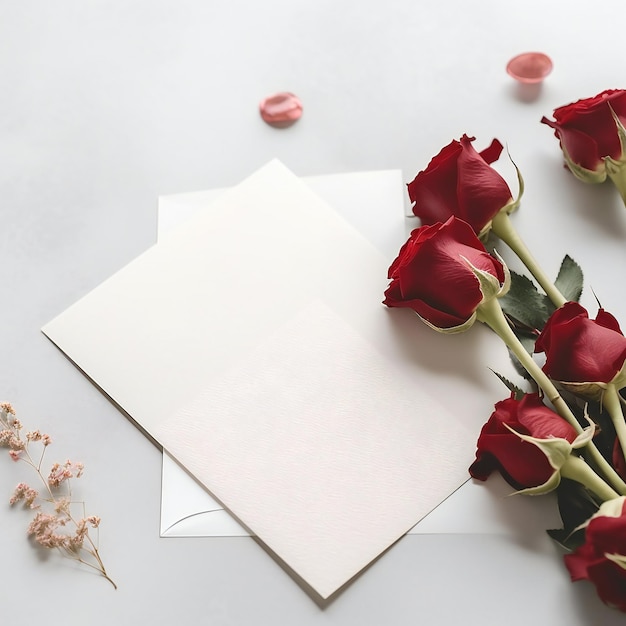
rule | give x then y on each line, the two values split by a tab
490	313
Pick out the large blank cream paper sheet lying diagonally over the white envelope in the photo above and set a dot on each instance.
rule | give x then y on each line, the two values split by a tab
251	343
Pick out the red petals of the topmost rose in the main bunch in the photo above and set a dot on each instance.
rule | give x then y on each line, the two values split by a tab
459	181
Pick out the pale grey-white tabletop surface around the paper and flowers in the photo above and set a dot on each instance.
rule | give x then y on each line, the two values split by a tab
106	105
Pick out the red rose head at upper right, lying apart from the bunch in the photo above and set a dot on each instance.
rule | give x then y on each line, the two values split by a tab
588	133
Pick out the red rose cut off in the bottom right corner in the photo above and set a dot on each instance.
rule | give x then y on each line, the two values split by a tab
601	559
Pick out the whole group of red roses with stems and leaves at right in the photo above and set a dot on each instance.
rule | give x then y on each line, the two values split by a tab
562	428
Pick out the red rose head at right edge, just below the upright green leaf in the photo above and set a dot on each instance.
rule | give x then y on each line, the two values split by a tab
584	355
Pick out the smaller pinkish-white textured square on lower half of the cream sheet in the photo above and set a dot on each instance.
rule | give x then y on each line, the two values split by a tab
314	442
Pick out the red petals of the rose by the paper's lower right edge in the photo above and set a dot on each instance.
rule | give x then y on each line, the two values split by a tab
522	464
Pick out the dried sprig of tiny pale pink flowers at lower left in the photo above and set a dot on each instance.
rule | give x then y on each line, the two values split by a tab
57	527
